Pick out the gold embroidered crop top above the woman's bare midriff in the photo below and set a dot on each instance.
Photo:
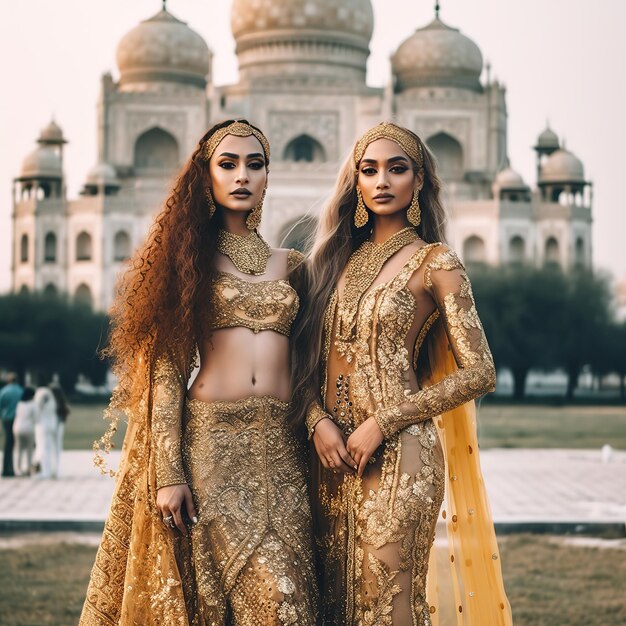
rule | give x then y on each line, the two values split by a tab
259	305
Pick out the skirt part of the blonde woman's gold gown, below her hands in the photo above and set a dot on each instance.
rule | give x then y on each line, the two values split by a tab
374	533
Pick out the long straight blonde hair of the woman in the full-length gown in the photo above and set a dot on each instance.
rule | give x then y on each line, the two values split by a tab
336	239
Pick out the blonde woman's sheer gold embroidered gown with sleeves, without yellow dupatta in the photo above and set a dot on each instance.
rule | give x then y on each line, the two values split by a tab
374	533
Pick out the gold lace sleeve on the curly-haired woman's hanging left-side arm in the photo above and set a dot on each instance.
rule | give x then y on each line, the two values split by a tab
169	388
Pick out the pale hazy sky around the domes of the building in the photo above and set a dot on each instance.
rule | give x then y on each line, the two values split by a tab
562	60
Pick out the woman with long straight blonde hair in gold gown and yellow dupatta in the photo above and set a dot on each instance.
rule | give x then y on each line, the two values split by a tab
396	357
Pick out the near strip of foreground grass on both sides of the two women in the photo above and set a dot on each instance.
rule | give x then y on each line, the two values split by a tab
548	583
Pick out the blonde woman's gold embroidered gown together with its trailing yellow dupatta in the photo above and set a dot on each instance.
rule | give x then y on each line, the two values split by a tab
375	533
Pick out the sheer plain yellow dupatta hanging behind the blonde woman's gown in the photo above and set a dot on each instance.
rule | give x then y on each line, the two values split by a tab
474	559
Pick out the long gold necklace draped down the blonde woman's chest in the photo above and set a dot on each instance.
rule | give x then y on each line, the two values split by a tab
363	267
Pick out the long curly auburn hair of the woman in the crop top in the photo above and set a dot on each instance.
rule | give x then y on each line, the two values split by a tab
162	304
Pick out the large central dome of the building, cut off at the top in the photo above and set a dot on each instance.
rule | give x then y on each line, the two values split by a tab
303	39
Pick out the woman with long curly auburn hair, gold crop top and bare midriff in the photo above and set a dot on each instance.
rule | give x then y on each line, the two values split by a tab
210	520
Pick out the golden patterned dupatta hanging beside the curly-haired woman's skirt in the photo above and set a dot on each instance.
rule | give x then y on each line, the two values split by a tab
142	571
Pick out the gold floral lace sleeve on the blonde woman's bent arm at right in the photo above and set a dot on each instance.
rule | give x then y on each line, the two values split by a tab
447	281
